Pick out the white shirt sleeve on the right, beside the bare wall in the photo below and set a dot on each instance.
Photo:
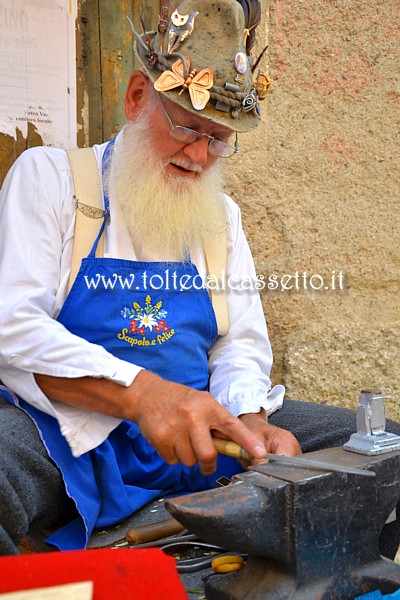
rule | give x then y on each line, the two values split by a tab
240	362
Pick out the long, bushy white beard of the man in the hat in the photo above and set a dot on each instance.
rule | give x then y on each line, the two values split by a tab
165	214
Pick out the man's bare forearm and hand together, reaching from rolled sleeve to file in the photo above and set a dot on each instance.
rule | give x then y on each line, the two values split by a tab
175	419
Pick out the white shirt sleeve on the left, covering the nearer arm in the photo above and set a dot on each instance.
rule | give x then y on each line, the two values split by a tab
36	233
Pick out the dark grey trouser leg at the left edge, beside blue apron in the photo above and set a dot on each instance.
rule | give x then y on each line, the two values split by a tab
32	493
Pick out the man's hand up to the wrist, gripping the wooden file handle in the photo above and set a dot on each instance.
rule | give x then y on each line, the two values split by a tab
178	420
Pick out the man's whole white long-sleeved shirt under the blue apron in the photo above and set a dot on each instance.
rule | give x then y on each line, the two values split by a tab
37	216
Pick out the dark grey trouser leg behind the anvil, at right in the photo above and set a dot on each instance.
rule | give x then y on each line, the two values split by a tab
319	426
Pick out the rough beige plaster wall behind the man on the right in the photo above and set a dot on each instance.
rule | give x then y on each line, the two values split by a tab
318	184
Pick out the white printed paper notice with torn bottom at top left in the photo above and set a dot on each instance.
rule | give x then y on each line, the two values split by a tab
38	70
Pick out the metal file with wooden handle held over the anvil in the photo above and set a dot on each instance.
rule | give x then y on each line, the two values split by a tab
235	451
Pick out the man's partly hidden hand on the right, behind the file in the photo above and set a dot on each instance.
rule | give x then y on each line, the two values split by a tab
276	440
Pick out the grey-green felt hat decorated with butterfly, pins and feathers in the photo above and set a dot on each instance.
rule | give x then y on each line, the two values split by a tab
200	59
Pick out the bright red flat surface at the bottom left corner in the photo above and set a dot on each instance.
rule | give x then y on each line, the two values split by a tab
135	574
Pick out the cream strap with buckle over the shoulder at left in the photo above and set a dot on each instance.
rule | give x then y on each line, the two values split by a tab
89	207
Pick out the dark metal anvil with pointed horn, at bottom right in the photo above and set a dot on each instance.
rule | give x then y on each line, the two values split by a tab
309	535
